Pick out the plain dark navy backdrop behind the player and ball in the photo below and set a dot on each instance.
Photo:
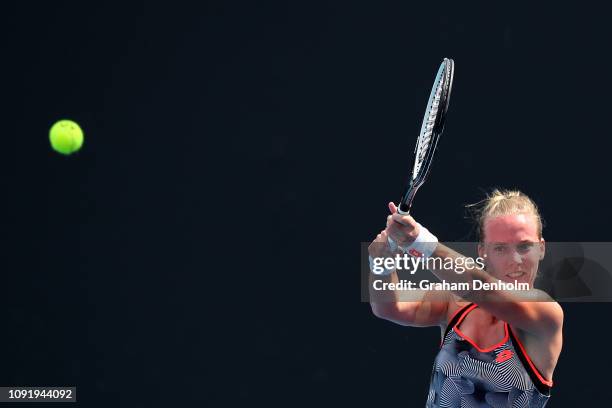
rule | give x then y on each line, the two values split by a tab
203	247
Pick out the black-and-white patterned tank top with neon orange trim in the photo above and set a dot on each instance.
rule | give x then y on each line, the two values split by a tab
467	376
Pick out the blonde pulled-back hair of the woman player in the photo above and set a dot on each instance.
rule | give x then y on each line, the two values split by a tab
504	202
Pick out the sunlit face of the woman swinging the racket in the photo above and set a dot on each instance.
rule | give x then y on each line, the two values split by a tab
512	249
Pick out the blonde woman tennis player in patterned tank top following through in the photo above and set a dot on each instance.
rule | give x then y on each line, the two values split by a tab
499	348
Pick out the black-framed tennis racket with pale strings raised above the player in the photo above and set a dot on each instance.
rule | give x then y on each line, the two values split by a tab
431	129
